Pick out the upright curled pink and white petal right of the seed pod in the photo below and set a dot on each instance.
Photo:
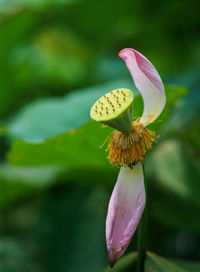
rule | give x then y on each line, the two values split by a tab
147	81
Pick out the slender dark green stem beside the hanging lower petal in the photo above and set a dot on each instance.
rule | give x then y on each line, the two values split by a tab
142	229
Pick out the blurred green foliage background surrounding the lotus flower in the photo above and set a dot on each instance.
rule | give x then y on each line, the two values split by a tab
56	58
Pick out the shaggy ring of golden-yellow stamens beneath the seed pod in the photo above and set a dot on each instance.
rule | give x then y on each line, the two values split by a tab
128	149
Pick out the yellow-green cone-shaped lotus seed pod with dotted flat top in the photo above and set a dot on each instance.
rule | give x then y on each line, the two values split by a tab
114	109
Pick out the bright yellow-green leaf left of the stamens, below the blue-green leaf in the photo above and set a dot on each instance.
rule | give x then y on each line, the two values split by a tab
76	148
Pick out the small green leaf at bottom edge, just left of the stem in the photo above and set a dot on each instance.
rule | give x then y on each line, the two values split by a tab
125	264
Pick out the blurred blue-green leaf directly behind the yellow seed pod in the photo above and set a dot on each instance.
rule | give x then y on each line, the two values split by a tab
48	117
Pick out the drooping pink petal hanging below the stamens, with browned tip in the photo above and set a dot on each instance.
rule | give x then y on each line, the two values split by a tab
124	211
